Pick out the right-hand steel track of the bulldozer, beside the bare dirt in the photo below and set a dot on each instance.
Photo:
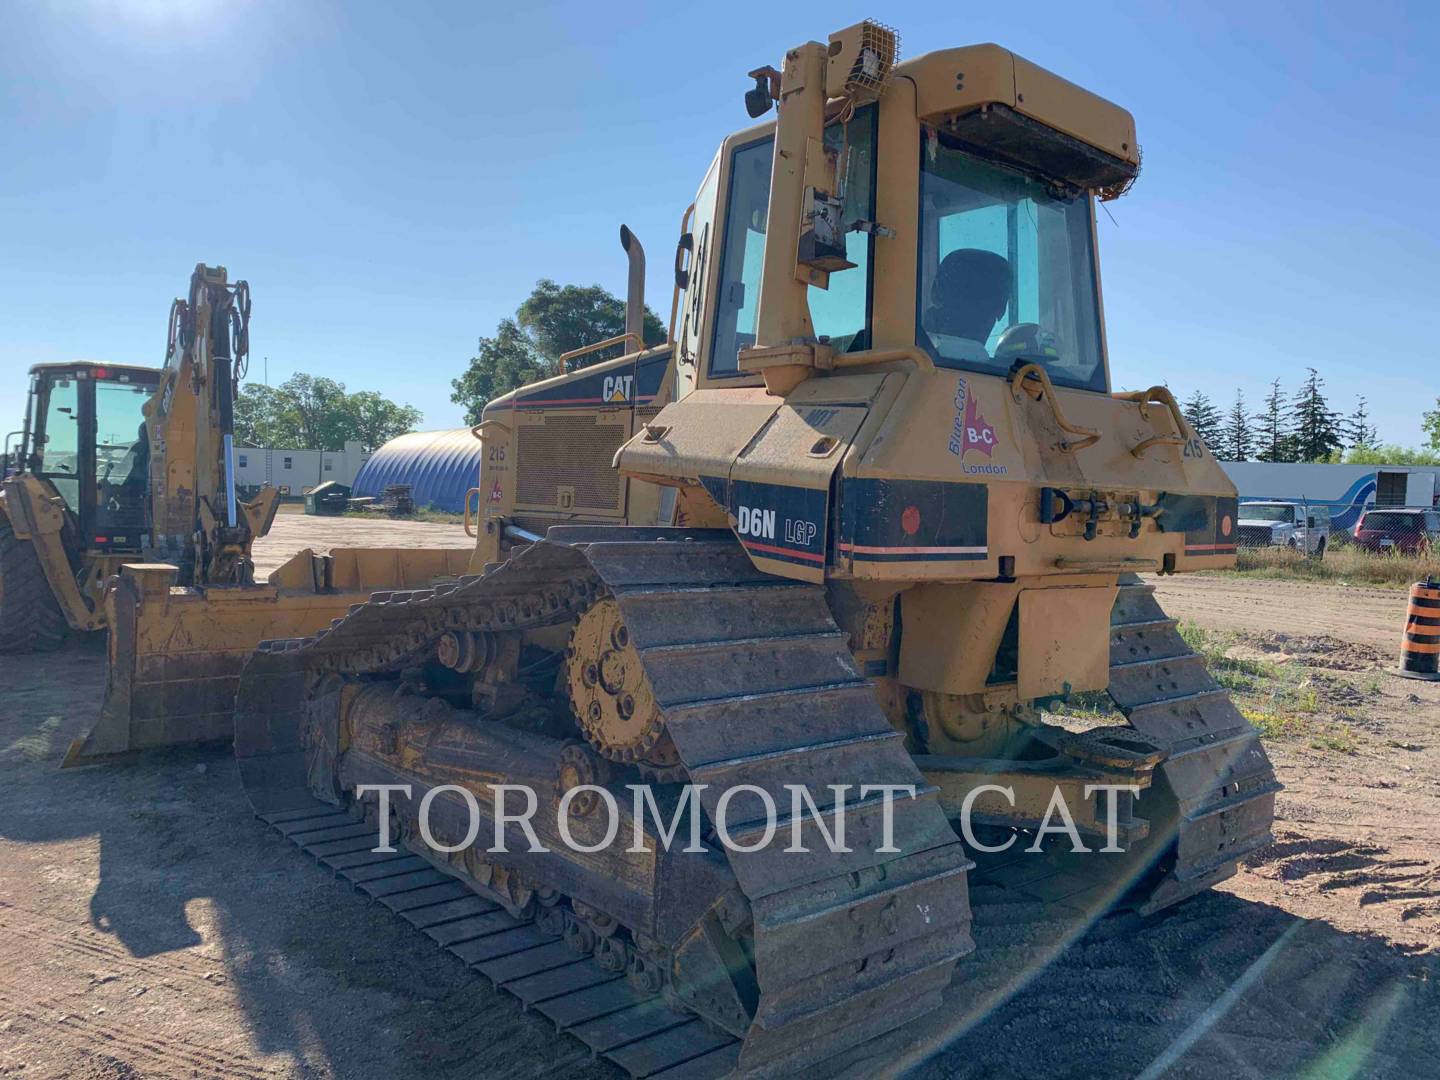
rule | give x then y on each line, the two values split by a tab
1216	768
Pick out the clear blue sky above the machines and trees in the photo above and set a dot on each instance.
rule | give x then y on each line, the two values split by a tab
392	179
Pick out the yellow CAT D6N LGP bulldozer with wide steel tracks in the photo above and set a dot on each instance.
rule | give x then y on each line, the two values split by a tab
865	519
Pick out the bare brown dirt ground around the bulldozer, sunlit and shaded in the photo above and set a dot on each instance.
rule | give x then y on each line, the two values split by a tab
152	928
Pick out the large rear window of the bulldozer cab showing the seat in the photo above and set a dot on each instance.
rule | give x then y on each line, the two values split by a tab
1007	270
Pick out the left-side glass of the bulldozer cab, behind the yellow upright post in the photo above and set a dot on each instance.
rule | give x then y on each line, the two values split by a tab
840	313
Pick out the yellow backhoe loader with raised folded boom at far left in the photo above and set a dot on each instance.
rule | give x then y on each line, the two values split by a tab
127	464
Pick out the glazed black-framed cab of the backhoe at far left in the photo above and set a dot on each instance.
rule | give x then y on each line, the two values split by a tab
87	438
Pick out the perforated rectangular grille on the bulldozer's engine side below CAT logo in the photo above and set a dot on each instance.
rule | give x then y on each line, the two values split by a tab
571	451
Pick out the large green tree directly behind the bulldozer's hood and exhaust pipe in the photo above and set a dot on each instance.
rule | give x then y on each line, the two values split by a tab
552	320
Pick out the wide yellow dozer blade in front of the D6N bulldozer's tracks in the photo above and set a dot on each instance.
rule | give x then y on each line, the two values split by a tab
175	654
